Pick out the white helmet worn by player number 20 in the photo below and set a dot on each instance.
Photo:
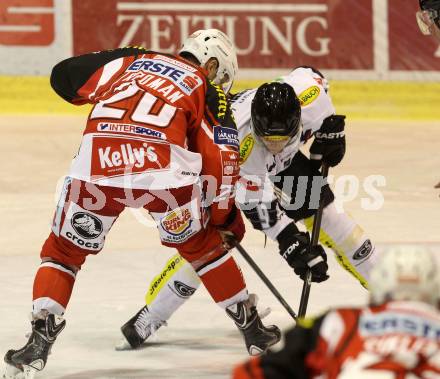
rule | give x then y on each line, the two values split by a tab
213	43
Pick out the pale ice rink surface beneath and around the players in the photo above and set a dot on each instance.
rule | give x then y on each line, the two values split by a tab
200	341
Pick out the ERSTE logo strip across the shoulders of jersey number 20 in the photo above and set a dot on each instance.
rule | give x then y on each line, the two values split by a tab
183	76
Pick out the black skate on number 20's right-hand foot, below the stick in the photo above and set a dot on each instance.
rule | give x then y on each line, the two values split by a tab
258	338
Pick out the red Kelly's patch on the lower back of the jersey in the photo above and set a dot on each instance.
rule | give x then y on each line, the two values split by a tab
120	156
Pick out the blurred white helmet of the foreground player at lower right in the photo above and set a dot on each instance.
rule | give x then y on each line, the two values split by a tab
405	273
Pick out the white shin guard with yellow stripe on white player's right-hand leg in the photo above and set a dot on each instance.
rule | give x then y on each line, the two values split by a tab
353	249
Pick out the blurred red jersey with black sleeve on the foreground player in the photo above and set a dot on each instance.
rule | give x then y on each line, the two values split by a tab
398	340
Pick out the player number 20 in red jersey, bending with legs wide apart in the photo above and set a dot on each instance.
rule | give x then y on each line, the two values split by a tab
152	140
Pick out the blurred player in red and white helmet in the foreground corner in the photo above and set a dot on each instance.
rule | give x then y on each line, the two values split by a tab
396	336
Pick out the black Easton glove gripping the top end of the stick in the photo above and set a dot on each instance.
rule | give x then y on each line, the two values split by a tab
329	143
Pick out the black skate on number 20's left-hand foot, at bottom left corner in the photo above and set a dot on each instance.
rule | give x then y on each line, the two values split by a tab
32	357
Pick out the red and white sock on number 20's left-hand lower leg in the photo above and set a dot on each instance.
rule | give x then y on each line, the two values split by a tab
53	286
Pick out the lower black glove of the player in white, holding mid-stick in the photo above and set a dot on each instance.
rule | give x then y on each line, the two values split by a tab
295	249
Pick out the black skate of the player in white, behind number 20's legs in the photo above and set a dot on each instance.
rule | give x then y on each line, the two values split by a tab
136	330
